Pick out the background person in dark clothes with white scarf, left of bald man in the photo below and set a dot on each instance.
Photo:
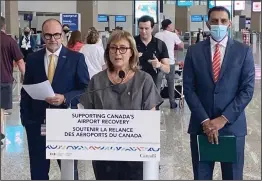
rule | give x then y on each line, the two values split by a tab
27	43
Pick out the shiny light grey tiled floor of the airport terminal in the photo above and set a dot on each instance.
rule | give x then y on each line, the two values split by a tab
175	153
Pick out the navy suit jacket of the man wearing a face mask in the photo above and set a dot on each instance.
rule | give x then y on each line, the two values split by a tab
228	96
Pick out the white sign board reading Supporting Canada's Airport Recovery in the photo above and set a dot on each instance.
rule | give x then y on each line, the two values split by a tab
123	135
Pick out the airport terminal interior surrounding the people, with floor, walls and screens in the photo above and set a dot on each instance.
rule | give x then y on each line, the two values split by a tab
105	16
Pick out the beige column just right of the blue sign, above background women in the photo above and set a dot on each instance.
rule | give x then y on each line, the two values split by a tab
88	11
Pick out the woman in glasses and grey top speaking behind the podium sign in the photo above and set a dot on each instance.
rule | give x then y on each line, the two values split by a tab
122	86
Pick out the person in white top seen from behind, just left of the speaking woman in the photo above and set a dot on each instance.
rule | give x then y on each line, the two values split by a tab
94	54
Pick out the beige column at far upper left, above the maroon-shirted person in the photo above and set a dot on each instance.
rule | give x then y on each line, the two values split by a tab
11	17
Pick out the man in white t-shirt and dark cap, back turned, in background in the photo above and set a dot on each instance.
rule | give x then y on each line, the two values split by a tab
171	40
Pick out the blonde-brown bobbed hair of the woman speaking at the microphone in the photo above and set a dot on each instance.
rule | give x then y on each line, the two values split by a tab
115	37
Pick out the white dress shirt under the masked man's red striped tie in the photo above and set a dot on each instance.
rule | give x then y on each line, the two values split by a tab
222	48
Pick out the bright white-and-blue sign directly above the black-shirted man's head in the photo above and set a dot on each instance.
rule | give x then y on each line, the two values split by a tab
146	8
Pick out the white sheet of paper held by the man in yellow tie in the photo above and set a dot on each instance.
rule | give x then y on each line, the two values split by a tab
40	91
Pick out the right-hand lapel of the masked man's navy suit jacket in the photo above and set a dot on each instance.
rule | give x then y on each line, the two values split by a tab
227	58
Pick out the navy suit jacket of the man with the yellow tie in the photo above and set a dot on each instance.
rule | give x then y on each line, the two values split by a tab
70	79
